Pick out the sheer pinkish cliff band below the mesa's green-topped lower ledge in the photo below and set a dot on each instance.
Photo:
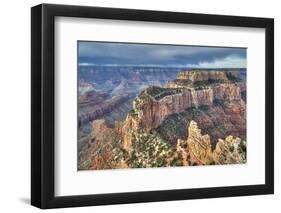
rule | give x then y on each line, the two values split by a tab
154	112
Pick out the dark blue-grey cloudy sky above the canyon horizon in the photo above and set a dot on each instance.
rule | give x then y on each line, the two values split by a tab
103	53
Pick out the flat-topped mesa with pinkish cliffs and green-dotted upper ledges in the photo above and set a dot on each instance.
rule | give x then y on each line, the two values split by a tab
155	104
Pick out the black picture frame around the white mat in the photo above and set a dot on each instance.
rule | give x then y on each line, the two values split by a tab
43	102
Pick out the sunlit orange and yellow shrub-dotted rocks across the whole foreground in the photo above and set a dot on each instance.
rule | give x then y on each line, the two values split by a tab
140	148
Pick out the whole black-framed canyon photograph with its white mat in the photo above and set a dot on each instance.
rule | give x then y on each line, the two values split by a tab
139	106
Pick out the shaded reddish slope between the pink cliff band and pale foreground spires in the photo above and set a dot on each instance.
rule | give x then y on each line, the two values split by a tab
221	119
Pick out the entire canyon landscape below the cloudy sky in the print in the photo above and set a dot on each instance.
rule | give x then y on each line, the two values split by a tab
141	116
